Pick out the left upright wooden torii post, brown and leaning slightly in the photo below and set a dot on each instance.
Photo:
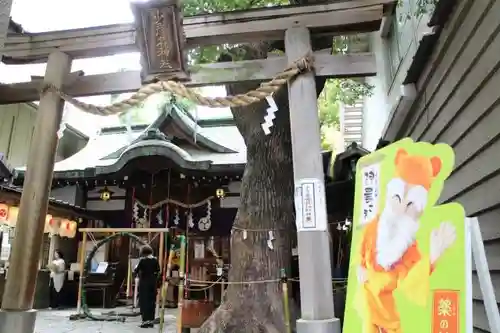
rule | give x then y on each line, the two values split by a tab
20	286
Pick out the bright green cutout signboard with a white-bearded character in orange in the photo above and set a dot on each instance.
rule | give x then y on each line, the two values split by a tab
405	247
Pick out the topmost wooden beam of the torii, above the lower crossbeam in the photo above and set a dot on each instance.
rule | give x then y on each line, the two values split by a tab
215	29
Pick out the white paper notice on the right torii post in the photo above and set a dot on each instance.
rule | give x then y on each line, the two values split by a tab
310	205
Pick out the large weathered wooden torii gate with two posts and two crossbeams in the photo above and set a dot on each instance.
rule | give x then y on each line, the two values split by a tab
293	24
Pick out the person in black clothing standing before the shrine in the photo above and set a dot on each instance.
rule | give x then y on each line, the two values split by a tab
148	270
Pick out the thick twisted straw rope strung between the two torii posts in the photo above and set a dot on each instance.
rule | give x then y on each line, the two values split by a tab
266	89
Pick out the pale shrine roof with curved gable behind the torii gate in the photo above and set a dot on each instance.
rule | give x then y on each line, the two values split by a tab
174	135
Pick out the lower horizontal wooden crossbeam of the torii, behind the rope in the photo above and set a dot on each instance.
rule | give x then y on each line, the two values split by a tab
326	65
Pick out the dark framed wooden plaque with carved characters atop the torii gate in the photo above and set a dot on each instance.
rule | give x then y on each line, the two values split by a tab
161	40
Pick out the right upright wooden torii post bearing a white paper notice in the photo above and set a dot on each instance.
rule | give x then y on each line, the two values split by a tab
313	243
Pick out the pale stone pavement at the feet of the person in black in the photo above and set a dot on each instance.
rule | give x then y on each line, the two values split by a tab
58	322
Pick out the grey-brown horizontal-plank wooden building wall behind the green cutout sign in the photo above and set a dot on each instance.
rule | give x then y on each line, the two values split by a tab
459	103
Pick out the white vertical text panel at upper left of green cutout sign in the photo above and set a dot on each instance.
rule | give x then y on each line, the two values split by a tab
370	185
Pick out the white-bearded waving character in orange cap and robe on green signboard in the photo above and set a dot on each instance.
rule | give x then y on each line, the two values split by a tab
390	255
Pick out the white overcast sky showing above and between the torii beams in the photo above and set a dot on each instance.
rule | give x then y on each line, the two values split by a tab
51	15
